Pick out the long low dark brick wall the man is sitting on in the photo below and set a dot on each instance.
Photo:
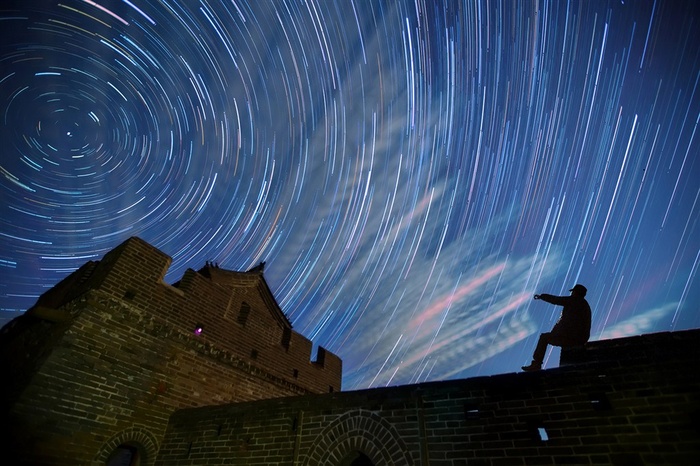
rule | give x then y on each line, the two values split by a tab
633	401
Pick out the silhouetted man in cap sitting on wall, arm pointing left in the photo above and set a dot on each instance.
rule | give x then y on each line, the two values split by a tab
572	329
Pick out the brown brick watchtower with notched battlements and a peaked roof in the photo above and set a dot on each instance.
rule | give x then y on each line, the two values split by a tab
109	353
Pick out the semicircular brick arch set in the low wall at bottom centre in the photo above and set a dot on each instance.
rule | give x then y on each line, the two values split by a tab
363	431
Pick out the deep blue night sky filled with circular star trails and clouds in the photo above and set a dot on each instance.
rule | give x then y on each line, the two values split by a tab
412	172
